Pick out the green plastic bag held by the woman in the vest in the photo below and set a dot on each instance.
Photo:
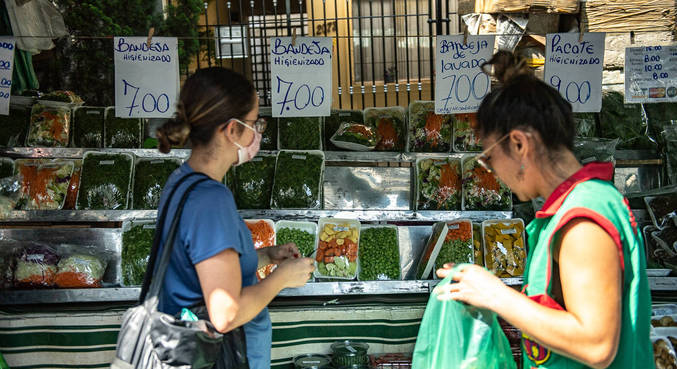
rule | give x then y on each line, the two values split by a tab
454	335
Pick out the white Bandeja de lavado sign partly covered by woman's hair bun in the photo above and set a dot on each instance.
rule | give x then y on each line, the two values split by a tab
460	83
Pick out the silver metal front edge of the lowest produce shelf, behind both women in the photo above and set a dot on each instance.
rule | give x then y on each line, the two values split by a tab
353	288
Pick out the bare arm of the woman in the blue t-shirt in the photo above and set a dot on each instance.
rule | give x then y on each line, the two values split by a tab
229	305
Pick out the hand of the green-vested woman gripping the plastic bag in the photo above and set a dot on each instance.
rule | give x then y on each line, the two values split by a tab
475	286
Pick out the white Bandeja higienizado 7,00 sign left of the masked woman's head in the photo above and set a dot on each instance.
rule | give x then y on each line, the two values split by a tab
146	79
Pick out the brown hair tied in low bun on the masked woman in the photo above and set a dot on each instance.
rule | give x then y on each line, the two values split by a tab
208	99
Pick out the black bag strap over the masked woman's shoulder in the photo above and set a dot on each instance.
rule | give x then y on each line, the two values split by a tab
159	230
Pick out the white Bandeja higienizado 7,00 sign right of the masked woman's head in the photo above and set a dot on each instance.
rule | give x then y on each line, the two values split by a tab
301	76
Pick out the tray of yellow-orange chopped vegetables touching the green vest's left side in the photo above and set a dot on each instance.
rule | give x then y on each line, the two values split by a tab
504	247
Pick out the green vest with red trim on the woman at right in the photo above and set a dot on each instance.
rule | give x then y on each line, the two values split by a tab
599	201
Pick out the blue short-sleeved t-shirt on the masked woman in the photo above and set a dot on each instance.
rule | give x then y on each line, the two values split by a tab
209	225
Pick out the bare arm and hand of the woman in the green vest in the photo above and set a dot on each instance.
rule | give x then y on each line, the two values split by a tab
589	330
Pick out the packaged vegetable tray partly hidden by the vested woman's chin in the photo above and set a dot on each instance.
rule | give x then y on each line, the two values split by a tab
483	190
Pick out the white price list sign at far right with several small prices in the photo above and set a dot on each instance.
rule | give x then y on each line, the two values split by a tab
650	74
